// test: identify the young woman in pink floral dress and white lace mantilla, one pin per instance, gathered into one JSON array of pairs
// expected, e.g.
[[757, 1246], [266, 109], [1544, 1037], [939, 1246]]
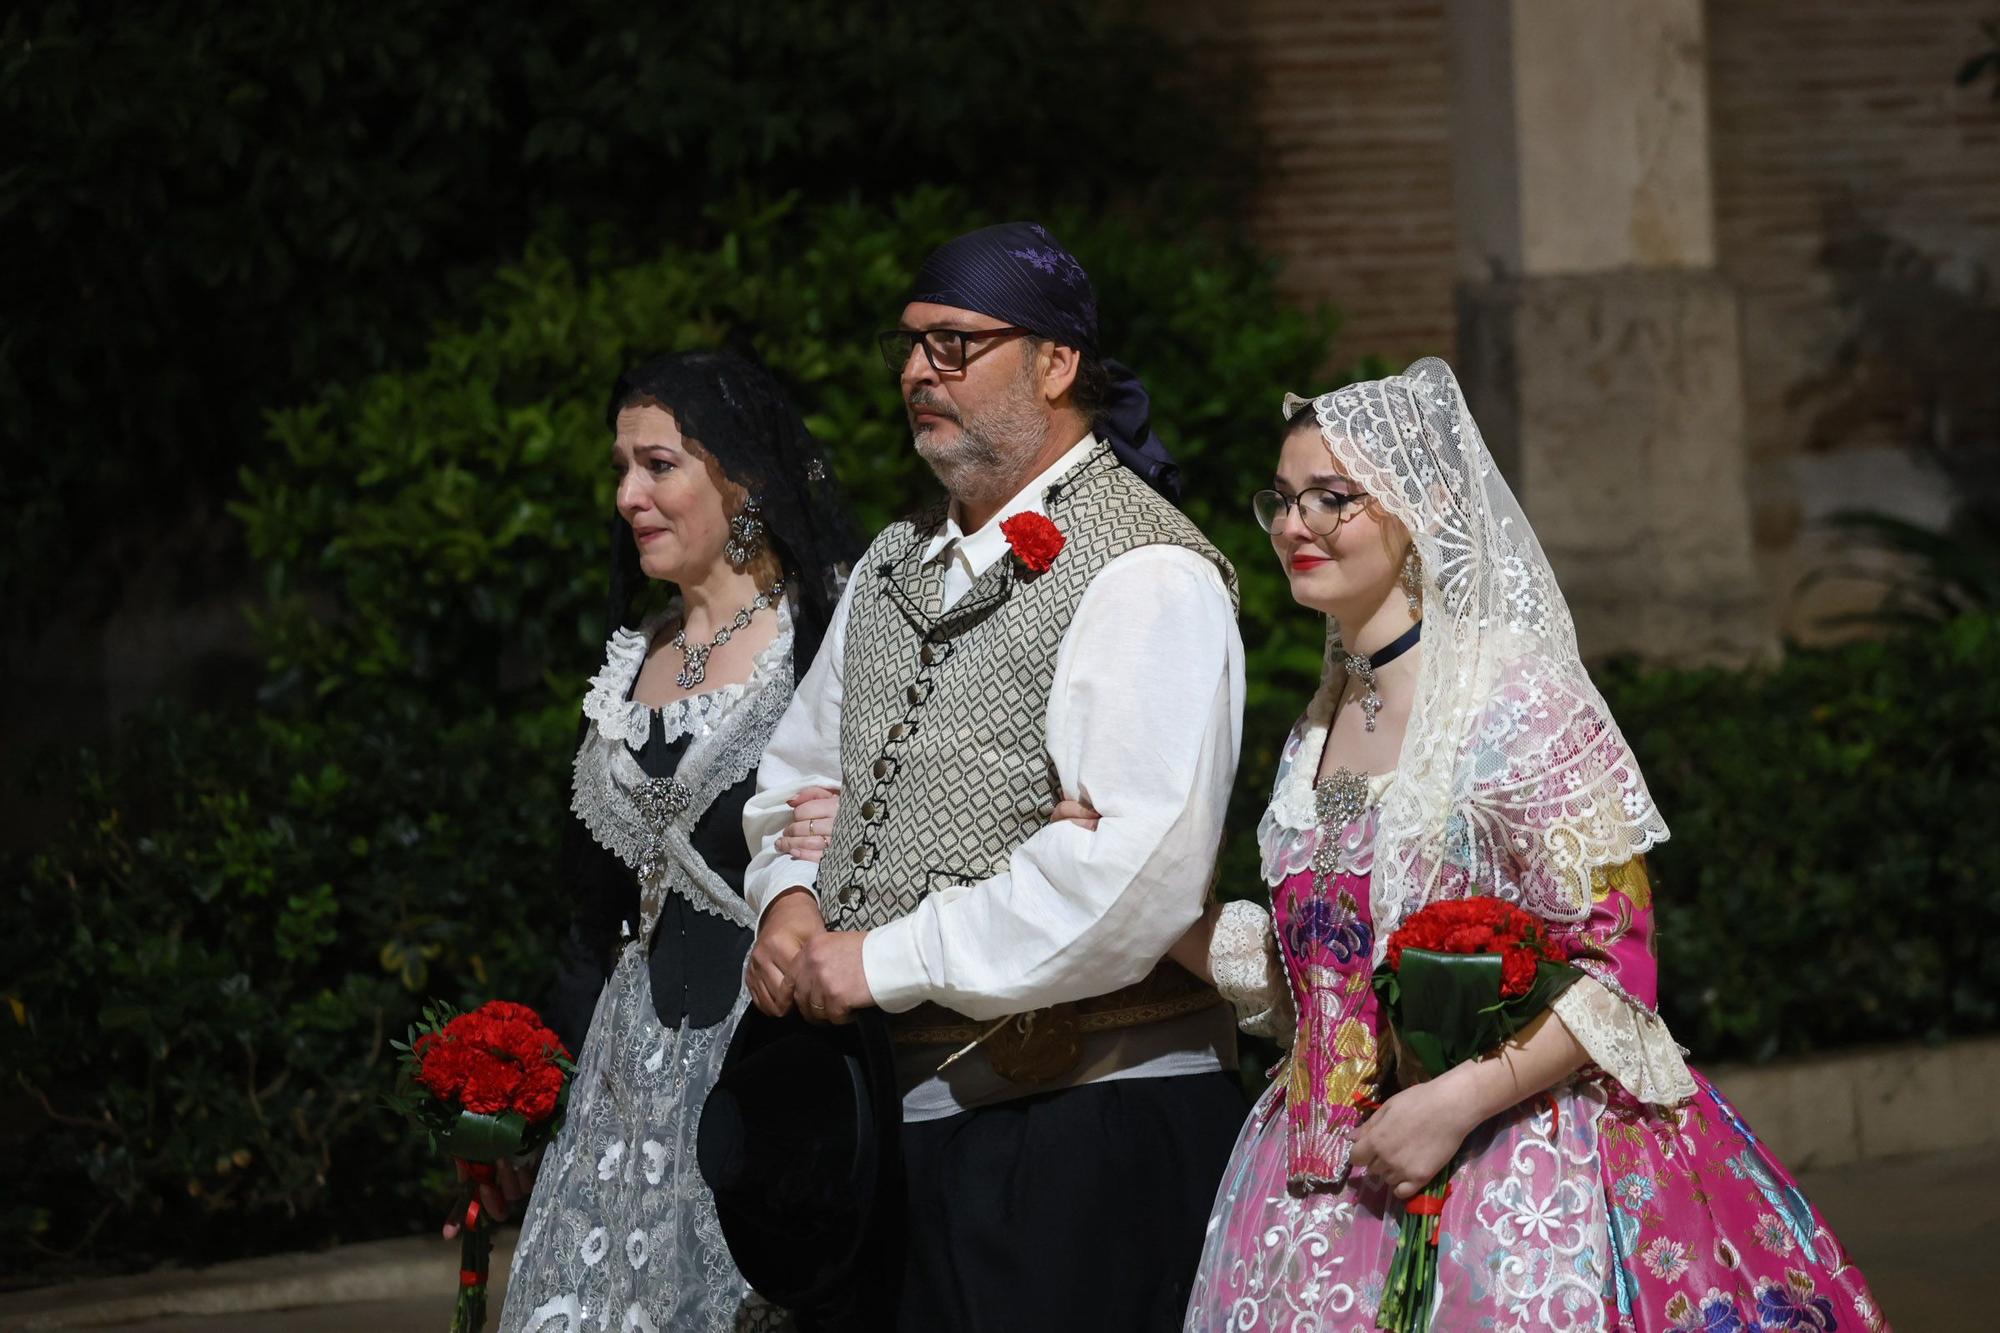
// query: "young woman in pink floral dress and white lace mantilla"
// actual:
[[1457, 746]]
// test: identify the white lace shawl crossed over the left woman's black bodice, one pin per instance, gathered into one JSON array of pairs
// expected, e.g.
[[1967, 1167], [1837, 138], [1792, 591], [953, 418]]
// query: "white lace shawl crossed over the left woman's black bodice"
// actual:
[[647, 822]]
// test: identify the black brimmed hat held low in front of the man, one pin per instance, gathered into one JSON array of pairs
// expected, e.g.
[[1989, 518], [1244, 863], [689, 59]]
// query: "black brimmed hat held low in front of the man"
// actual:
[[799, 1144]]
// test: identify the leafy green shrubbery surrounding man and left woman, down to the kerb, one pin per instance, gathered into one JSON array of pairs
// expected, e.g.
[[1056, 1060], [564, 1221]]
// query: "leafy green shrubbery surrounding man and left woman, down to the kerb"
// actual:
[[209, 960]]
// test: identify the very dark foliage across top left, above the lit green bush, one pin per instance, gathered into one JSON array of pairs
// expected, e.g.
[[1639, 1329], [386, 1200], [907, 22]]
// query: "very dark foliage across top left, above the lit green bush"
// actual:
[[235, 205]]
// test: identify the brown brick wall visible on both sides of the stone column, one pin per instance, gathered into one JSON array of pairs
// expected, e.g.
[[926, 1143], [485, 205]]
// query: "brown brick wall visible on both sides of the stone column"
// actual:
[[1857, 215]]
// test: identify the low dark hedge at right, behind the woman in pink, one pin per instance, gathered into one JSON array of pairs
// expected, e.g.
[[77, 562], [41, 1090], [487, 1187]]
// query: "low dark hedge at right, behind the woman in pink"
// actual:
[[1833, 874]]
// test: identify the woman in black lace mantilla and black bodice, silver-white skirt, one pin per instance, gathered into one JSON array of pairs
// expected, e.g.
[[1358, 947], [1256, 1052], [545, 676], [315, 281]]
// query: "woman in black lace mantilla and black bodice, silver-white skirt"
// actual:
[[727, 497]]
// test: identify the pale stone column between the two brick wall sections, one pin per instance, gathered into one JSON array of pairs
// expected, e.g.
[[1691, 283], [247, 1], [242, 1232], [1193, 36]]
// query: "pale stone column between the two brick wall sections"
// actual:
[[1599, 347]]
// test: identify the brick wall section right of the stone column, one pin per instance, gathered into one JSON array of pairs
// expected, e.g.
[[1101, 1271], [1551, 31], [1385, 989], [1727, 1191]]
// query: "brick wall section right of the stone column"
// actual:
[[1859, 219]]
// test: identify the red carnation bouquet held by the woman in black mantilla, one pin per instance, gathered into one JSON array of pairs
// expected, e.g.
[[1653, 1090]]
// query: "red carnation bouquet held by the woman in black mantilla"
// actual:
[[485, 1086]]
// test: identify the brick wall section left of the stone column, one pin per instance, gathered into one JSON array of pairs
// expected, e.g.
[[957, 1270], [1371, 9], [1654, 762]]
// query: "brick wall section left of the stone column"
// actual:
[[1353, 105]]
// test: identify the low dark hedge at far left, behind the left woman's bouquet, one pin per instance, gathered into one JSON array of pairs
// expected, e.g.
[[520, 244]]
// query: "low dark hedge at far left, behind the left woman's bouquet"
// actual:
[[207, 964]]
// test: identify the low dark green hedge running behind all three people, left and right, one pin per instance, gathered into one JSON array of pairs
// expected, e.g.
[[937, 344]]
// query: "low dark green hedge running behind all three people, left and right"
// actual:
[[205, 966]]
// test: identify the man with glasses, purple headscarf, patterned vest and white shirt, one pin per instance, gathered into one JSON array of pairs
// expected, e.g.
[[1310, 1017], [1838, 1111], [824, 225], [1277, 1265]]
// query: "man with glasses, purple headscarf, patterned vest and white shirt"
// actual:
[[1059, 631]]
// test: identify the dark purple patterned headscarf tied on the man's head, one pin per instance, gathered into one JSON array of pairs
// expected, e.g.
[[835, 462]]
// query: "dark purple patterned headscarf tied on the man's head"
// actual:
[[1019, 273]]
